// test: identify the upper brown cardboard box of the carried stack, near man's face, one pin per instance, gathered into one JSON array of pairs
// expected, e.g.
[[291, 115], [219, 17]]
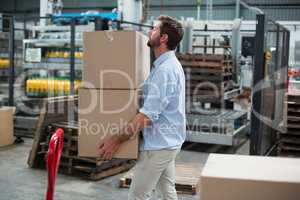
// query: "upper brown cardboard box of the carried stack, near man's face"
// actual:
[[115, 59]]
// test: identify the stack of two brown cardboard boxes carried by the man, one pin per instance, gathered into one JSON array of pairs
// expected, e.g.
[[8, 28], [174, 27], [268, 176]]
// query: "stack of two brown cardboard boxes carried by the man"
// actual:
[[116, 63]]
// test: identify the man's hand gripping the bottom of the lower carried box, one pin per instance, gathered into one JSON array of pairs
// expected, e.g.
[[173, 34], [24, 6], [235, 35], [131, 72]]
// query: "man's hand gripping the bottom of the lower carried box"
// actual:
[[109, 147]]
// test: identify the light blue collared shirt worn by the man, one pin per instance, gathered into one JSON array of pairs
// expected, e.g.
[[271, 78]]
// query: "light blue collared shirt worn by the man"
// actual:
[[164, 104]]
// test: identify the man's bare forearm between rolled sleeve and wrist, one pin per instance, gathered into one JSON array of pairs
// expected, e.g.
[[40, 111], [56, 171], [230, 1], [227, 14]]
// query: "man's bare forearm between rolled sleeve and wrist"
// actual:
[[139, 122]]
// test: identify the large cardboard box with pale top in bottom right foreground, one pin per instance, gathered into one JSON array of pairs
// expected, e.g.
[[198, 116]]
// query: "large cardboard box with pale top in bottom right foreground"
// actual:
[[236, 177]]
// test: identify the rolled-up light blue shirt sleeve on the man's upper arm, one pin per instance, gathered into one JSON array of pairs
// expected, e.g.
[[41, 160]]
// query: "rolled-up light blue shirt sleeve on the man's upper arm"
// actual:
[[157, 97]]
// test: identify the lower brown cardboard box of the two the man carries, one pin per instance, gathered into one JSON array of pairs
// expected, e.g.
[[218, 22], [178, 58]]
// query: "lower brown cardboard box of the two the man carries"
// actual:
[[103, 112]]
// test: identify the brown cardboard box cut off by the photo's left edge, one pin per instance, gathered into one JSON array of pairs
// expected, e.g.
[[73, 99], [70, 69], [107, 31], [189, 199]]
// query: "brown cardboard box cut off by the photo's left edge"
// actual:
[[6, 126]]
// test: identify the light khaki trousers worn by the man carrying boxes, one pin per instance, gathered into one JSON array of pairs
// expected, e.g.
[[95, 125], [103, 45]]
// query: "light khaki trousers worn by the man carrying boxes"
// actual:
[[154, 169]]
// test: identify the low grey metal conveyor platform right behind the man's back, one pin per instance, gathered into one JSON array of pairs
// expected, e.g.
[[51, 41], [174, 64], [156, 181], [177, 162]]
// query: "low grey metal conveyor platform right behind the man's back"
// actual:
[[222, 127]]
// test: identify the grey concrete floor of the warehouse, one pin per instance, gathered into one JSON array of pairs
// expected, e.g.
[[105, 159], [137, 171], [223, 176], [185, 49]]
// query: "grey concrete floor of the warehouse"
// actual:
[[19, 182]]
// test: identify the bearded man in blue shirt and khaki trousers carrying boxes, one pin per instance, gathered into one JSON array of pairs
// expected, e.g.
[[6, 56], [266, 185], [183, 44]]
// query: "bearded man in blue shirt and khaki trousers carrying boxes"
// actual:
[[162, 117]]
